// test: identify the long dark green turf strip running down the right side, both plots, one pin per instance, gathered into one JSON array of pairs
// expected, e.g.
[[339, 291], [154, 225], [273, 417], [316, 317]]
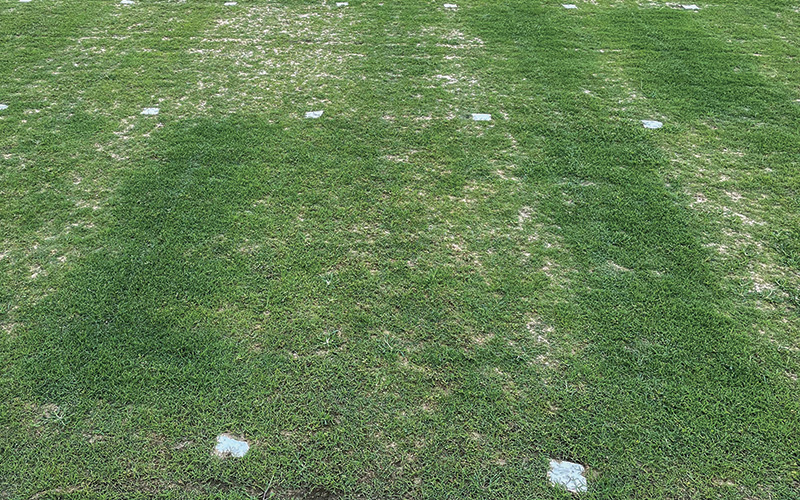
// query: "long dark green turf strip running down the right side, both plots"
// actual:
[[664, 339]]
